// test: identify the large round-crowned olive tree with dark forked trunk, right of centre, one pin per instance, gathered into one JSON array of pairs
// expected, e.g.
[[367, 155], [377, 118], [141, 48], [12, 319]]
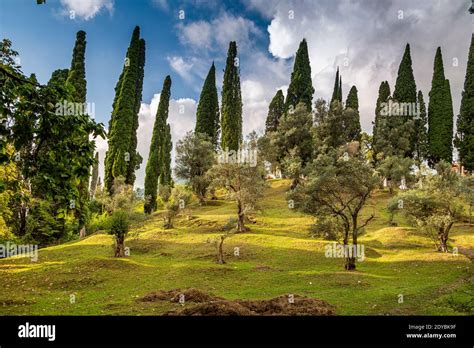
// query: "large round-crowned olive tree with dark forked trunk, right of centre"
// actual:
[[336, 188]]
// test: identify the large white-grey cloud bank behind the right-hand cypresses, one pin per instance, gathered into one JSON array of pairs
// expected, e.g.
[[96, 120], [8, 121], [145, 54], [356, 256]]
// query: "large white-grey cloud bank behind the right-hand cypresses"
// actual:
[[369, 36]]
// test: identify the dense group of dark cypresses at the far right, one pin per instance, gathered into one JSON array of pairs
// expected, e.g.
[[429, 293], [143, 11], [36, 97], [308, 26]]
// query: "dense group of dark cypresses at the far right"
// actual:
[[429, 135]]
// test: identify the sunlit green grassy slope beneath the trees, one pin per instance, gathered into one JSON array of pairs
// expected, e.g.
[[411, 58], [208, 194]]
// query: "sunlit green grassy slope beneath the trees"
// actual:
[[277, 257]]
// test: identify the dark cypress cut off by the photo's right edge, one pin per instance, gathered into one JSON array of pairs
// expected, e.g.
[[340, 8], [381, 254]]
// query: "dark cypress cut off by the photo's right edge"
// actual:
[[465, 122]]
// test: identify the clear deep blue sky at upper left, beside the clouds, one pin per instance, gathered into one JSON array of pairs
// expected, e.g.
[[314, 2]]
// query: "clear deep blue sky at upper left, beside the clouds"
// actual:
[[44, 36]]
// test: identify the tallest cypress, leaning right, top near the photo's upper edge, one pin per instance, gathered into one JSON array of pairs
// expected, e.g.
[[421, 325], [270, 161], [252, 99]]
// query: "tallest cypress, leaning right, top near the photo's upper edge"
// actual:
[[121, 157]]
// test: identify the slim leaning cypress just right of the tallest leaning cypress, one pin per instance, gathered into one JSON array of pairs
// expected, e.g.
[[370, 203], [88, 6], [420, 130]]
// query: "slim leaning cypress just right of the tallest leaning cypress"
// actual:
[[158, 147]]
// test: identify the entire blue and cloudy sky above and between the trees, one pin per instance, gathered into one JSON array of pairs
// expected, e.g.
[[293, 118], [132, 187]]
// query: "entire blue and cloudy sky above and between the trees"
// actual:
[[365, 38]]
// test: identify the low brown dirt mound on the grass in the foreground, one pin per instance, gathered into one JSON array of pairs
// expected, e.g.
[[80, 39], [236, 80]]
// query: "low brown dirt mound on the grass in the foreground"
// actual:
[[207, 305]]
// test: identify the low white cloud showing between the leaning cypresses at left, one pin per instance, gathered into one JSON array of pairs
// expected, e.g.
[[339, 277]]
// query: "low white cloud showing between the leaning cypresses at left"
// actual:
[[181, 118]]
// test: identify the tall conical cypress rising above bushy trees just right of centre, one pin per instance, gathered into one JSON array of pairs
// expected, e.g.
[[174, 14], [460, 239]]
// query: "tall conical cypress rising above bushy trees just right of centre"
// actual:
[[301, 86]]
